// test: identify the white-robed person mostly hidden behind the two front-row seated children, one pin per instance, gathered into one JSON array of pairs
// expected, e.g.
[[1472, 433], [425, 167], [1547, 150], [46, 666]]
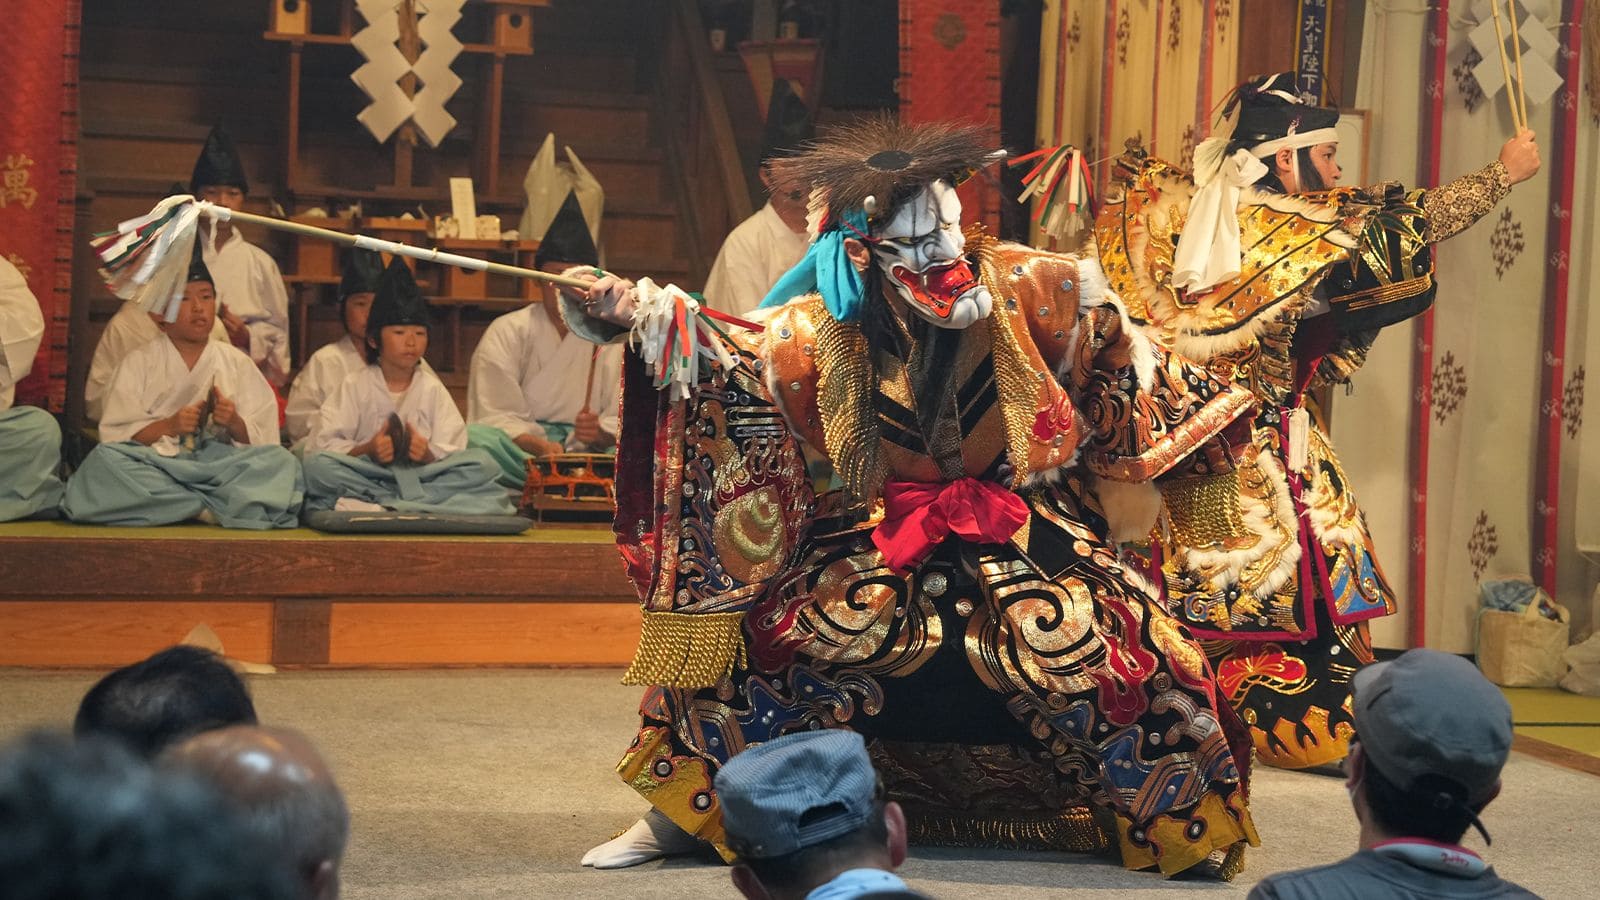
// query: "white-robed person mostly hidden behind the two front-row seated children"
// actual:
[[332, 364]]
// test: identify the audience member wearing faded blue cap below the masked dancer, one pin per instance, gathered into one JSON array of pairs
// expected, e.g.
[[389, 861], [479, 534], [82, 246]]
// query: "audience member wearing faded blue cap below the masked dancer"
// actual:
[[807, 818]]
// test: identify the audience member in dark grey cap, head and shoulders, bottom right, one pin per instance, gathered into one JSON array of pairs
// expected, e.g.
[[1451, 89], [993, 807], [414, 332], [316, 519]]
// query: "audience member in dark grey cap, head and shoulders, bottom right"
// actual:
[[1431, 739]]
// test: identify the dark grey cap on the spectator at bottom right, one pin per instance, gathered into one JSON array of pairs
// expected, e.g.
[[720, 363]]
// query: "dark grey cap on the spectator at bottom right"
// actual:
[[1430, 713]]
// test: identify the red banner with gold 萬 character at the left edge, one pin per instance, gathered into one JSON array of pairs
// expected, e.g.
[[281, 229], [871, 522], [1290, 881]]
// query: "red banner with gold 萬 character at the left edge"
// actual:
[[39, 139]]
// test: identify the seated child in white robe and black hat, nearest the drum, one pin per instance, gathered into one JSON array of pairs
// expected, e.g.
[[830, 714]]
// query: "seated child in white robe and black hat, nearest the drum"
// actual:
[[391, 436]]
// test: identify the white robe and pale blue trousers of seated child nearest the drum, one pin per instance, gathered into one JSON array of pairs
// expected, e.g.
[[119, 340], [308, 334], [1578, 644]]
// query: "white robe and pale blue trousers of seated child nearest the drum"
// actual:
[[457, 483]]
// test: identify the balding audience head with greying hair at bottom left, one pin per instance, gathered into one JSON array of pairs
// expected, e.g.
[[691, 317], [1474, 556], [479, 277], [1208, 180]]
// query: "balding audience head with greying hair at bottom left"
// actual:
[[284, 794]]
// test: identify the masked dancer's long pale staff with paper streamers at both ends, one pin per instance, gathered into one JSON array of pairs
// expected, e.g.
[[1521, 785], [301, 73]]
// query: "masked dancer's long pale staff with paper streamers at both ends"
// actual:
[[146, 260]]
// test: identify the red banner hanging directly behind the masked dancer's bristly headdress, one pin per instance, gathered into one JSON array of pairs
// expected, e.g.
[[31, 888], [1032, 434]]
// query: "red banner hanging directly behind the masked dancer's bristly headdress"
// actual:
[[951, 73]]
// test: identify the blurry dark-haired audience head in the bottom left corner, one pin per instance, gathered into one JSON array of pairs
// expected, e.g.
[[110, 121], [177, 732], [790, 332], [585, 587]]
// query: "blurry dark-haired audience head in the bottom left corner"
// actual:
[[87, 821]]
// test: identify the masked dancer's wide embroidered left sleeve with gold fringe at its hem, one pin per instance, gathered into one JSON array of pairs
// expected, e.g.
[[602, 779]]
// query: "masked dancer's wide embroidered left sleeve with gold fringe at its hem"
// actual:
[[730, 505]]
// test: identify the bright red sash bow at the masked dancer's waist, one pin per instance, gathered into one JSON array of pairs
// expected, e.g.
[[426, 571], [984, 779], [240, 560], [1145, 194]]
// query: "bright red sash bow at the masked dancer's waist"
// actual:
[[921, 515]]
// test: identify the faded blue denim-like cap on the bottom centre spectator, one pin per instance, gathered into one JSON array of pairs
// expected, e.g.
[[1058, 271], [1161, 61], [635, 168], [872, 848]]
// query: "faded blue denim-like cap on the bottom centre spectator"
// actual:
[[794, 792]]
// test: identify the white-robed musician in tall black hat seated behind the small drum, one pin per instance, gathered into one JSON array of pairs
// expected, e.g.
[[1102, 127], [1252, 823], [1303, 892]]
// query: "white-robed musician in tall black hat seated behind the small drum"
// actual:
[[535, 388]]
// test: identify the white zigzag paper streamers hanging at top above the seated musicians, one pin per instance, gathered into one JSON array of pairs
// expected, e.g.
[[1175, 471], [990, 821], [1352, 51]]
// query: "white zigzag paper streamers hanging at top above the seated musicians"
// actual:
[[386, 65]]
